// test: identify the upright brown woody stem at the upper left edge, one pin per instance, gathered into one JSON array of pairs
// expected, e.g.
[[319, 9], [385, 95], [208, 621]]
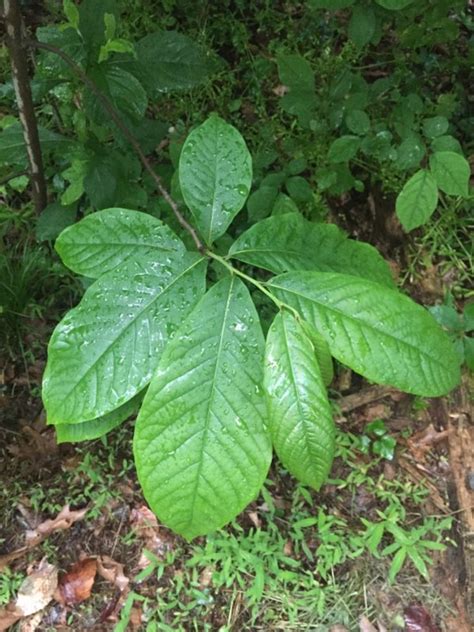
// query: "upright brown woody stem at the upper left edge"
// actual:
[[21, 83]]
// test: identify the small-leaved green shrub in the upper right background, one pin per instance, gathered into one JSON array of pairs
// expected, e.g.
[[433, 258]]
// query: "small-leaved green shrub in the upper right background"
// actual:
[[385, 132]]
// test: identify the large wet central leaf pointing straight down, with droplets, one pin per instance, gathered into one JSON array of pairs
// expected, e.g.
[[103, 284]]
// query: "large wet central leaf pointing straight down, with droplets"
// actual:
[[201, 449]]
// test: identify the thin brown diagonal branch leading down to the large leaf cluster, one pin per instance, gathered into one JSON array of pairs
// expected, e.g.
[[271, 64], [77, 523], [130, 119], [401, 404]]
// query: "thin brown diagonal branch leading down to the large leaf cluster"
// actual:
[[114, 115]]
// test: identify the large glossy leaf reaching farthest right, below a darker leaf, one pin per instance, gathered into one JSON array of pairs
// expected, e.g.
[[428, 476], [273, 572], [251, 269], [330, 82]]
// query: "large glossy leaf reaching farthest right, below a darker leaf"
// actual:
[[379, 333]]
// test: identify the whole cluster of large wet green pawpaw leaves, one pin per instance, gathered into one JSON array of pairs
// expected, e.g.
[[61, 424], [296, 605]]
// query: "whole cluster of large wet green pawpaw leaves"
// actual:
[[214, 396]]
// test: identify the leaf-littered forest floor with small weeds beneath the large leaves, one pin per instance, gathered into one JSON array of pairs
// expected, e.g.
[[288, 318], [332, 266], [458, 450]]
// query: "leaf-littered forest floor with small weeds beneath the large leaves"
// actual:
[[74, 522]]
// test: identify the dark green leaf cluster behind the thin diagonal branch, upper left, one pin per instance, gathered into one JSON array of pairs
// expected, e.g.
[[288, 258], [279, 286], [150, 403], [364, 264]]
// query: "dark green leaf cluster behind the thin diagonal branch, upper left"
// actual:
[[100, 171]]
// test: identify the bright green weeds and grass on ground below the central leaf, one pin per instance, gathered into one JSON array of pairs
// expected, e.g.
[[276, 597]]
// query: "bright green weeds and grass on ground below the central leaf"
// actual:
[[307, 565]]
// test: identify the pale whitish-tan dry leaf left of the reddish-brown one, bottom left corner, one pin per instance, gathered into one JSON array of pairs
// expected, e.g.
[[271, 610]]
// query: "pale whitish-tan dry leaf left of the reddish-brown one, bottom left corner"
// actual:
[[37, 589]]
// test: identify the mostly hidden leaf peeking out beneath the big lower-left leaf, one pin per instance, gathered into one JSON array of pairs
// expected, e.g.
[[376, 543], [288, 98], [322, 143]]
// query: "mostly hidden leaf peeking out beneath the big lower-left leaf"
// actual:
[[88, 430]]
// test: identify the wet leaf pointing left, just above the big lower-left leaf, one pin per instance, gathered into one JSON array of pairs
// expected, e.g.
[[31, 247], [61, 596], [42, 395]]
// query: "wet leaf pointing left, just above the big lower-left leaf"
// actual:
[[102, 241]]
